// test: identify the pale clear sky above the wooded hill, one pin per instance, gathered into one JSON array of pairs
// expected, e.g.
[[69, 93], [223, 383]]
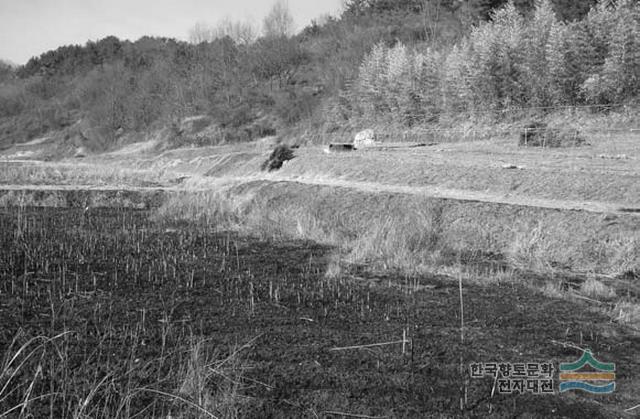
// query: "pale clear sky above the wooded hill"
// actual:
[[30, 27]]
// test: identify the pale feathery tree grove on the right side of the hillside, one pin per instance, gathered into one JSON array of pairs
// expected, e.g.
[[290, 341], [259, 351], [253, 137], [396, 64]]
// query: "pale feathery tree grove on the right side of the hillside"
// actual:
[[508, 62]]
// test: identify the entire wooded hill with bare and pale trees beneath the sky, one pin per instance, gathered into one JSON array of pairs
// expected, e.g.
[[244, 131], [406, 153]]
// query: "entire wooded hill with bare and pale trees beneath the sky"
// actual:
[[411, 62]]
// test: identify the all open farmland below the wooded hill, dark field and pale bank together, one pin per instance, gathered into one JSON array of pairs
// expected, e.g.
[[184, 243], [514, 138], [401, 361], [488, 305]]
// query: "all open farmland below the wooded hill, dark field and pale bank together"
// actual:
[[189, 283]]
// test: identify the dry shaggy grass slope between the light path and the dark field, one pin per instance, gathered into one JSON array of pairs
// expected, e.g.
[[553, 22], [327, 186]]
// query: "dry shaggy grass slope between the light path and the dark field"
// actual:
[[396, 231]]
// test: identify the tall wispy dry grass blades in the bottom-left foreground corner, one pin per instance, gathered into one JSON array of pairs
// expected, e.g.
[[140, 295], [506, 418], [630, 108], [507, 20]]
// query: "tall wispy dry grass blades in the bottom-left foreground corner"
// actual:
[[208, 385]]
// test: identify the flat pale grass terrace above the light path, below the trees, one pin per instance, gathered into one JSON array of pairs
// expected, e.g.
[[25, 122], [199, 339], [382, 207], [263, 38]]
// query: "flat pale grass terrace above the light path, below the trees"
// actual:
[[605, 171]]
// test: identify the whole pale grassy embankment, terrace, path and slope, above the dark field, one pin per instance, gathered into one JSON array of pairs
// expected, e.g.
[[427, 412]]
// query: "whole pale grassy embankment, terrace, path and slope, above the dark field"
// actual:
[[450, 207]]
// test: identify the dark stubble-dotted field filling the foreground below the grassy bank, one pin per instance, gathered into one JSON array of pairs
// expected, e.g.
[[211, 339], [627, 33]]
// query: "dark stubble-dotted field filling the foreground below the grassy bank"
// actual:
[[131, 295]]
